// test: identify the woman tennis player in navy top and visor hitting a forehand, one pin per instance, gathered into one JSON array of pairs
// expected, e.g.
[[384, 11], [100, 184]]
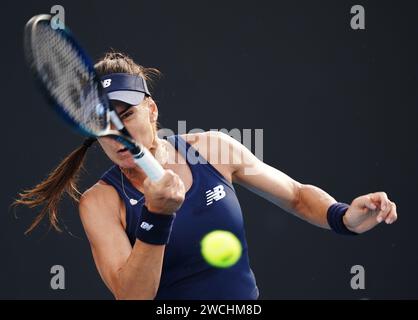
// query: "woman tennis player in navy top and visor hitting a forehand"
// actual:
[[145, 235]]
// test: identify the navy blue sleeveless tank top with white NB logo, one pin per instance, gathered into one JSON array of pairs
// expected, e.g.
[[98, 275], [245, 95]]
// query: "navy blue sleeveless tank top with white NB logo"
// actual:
[[210, 204]]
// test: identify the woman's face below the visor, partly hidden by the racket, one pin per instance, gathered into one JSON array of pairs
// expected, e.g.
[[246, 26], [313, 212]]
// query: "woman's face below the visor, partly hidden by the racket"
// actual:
[[139, 120]]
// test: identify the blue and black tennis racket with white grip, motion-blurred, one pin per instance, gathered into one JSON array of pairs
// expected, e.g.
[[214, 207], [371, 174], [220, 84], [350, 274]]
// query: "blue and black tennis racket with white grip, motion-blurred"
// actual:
[[73, 88]]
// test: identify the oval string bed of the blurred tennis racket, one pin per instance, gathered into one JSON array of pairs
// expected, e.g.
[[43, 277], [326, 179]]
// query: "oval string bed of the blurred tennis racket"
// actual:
[[68, 79]]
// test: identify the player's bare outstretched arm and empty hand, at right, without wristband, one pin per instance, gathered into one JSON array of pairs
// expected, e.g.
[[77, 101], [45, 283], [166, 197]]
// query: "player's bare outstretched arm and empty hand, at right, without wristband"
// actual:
[[306, 201]]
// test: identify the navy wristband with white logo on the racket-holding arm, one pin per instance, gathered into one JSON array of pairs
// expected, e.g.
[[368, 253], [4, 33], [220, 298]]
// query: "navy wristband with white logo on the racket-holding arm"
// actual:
[[154, 228]]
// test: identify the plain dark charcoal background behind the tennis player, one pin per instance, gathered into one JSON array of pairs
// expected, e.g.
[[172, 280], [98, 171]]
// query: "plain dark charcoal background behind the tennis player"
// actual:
[[338, 109]]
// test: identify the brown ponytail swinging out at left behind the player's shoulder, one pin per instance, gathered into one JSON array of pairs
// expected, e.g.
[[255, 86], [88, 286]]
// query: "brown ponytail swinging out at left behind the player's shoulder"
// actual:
[[48, 193]]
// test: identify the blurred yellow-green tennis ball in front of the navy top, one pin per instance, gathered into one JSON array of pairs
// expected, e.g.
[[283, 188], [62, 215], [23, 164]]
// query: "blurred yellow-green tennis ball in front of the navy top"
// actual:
[[221, 248]]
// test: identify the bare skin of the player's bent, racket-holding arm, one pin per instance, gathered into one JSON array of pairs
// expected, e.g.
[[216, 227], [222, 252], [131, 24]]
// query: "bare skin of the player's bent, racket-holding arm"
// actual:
[[129, 272]]
